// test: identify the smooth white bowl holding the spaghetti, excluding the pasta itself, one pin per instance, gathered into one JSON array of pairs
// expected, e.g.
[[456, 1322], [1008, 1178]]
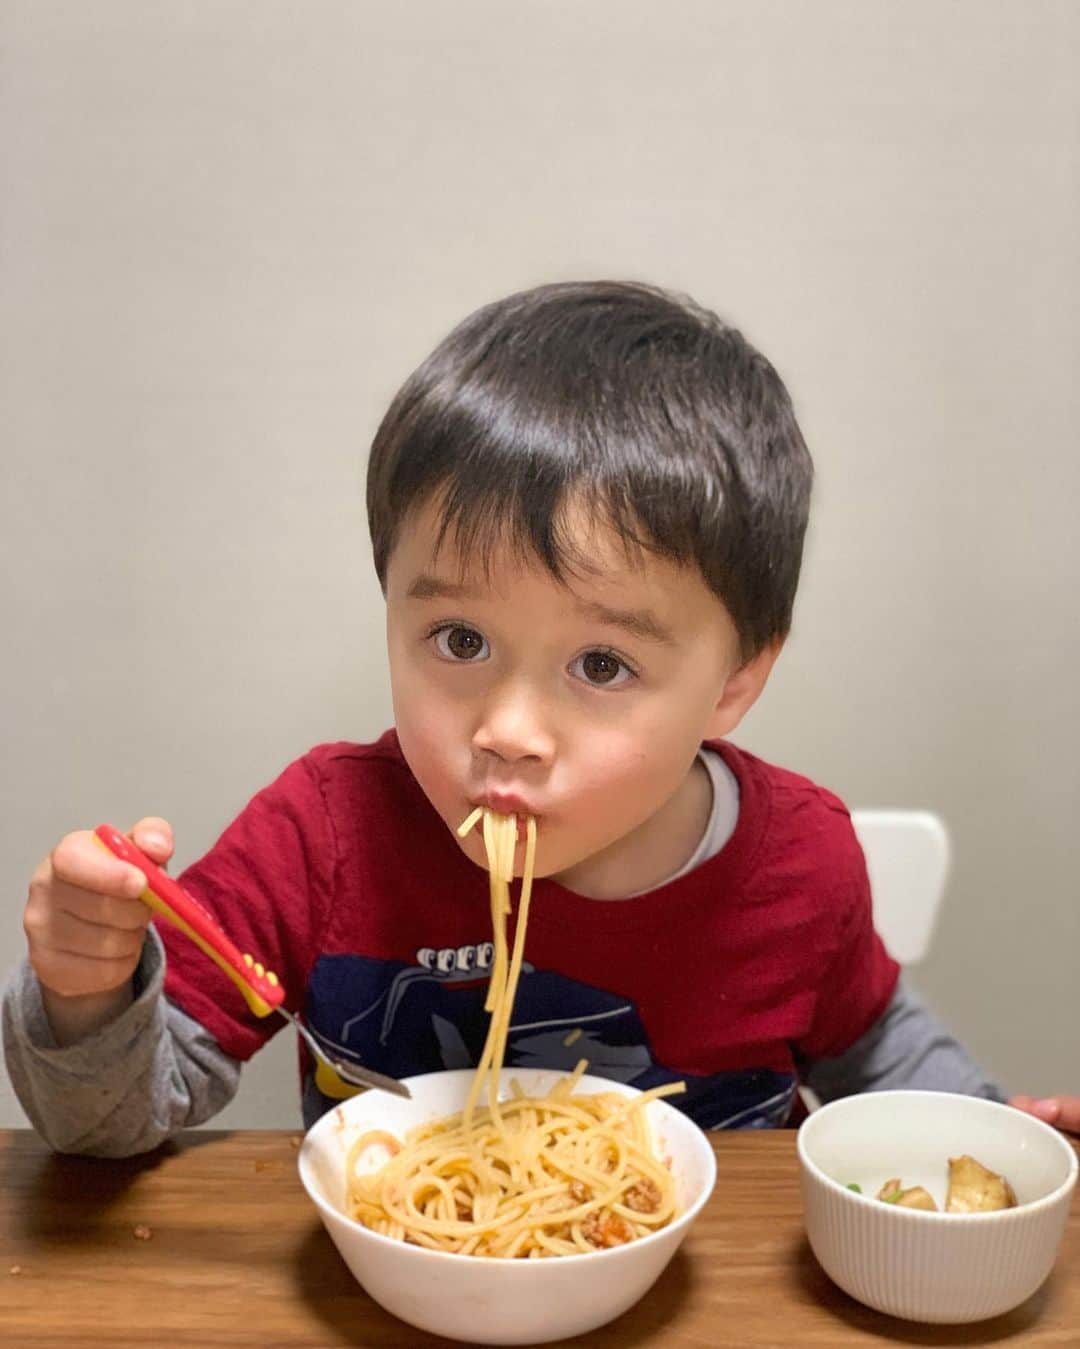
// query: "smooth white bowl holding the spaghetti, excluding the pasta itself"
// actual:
[[482, 1300]]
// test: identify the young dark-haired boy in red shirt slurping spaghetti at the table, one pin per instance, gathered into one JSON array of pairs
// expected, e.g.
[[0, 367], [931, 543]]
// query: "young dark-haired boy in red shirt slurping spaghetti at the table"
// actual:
[[587, 509]]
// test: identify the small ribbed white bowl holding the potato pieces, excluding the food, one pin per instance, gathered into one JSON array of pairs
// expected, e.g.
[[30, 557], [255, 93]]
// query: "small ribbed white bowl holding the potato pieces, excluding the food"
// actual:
[[935, 1267]]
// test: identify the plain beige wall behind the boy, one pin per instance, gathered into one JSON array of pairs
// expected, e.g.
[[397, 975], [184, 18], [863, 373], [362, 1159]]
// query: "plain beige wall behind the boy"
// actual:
[[233, 229]]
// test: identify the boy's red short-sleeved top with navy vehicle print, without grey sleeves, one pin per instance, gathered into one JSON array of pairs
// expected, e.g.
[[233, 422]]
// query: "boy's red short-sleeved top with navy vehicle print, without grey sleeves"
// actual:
[[343, 880]]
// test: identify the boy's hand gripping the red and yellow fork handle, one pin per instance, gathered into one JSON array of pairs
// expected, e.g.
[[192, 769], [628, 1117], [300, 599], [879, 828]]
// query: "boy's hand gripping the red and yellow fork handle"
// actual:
[[86, 927]]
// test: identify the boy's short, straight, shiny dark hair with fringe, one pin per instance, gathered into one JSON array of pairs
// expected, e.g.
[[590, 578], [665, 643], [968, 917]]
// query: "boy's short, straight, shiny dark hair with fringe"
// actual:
[[645, 408]]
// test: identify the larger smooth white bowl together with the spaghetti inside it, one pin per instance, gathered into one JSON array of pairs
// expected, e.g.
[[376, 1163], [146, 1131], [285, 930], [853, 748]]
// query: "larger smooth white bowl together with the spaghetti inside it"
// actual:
[[629, 1199]]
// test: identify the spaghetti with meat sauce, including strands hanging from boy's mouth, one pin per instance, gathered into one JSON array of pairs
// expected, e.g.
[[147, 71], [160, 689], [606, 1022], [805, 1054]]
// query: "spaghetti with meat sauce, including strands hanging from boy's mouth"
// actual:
[[527, 1177]]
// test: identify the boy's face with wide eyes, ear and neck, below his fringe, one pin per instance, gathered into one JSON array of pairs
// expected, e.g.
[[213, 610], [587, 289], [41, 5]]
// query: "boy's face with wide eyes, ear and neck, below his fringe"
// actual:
[[582, 705]]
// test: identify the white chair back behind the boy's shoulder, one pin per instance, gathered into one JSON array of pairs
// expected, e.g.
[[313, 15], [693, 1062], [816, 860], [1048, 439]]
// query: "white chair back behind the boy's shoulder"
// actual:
[[908, 861]]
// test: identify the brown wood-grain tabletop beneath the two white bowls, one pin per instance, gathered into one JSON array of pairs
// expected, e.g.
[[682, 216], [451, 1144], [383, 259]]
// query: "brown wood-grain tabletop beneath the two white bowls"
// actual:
[[212, 1243]]
